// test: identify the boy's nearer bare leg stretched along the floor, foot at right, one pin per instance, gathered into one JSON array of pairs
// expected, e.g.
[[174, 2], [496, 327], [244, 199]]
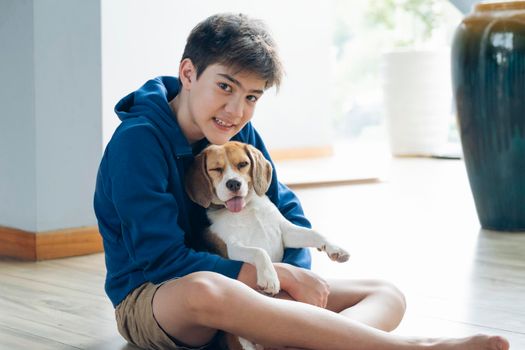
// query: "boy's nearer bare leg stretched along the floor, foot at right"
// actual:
[[191, 308]]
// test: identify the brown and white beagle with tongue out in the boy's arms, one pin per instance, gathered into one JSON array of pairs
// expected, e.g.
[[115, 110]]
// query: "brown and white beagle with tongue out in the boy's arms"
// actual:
[[231, 181]]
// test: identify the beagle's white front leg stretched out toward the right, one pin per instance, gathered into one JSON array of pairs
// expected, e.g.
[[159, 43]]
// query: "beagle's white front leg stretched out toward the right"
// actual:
[[301, 237]]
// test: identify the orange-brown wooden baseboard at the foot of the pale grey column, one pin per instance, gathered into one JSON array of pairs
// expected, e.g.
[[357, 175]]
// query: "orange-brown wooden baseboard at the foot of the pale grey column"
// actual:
[[34, 246]]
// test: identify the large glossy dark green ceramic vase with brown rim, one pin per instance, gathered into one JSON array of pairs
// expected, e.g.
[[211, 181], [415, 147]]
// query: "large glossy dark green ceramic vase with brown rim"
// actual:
[[488, 74]]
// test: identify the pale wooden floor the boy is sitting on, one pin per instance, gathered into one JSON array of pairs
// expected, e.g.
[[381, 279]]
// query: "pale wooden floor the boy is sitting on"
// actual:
[[418, 228]]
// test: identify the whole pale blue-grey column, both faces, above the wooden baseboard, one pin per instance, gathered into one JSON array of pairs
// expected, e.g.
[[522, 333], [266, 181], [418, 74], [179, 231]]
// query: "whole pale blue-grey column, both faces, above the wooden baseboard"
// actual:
[[50, 120]]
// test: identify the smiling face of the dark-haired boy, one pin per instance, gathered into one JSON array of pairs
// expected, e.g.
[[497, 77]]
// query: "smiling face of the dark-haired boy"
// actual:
[[220, 102]]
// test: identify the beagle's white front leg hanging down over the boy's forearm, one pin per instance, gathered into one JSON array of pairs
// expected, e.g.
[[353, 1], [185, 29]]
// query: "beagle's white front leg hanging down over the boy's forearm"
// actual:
[[267, 279]]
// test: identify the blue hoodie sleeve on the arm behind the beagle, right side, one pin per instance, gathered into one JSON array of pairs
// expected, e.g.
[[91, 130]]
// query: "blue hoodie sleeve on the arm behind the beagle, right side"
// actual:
[[285, 200]]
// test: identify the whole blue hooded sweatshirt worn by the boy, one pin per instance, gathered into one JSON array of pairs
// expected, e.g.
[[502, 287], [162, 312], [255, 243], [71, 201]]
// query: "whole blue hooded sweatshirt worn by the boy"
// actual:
[[144, 214]]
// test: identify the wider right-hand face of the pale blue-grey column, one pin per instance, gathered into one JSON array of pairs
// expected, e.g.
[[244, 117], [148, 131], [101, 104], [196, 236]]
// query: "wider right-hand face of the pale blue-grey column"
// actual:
[[67, 65]]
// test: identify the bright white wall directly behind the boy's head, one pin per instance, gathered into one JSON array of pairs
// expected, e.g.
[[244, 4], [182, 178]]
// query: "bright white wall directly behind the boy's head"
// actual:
[[143, 39]]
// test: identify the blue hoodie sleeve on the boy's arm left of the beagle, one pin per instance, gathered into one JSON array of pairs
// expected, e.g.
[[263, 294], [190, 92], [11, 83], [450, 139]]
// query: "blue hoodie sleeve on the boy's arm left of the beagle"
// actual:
[[148, 211]]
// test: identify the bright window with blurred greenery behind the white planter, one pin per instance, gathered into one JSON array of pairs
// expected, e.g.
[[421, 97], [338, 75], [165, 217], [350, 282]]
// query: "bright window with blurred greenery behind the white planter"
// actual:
[[363, 31]]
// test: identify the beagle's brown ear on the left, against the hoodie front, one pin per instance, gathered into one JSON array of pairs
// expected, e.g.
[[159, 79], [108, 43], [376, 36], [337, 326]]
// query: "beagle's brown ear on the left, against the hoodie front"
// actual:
[[198, 183]]
